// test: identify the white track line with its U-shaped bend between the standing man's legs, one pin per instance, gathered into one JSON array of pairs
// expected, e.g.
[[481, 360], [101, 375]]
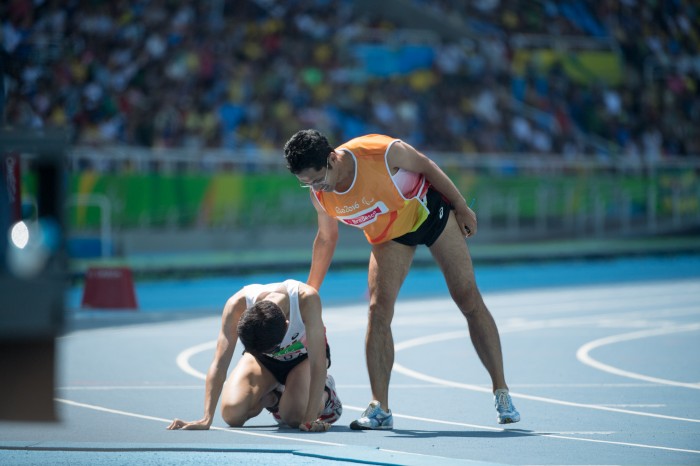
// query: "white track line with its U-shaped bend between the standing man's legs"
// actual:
[[448, 383]]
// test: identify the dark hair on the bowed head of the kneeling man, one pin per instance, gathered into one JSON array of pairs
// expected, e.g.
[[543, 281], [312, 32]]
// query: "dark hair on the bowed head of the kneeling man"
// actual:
[[262, 327]]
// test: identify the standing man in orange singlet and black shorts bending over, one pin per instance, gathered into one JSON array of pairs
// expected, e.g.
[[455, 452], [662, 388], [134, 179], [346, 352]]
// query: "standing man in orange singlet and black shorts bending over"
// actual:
[[400, 199]]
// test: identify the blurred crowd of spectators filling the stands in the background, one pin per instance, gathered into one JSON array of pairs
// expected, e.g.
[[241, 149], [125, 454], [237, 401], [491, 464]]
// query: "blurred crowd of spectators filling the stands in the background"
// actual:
[[248, 74]]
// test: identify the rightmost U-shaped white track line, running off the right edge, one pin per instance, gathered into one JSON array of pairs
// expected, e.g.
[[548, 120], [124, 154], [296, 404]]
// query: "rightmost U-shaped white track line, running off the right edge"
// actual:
[[583, 353]]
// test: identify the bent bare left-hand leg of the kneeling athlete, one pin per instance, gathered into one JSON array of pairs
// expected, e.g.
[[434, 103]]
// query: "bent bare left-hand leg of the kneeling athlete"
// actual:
[[246, 391]]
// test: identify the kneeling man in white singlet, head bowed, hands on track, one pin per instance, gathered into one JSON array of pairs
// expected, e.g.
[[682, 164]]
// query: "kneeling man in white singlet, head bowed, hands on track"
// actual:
[[283, 367]]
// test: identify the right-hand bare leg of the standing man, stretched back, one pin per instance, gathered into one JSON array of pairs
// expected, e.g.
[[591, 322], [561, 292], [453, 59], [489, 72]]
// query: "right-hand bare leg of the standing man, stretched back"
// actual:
[[452, 255]]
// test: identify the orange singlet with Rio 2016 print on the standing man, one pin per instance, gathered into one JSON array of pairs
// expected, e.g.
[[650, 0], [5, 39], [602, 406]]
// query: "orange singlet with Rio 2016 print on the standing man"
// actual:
[[373, 202]]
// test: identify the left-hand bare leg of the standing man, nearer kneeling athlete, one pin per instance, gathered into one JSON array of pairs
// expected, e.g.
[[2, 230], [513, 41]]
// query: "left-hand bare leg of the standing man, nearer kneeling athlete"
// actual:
[[389, 264]]
